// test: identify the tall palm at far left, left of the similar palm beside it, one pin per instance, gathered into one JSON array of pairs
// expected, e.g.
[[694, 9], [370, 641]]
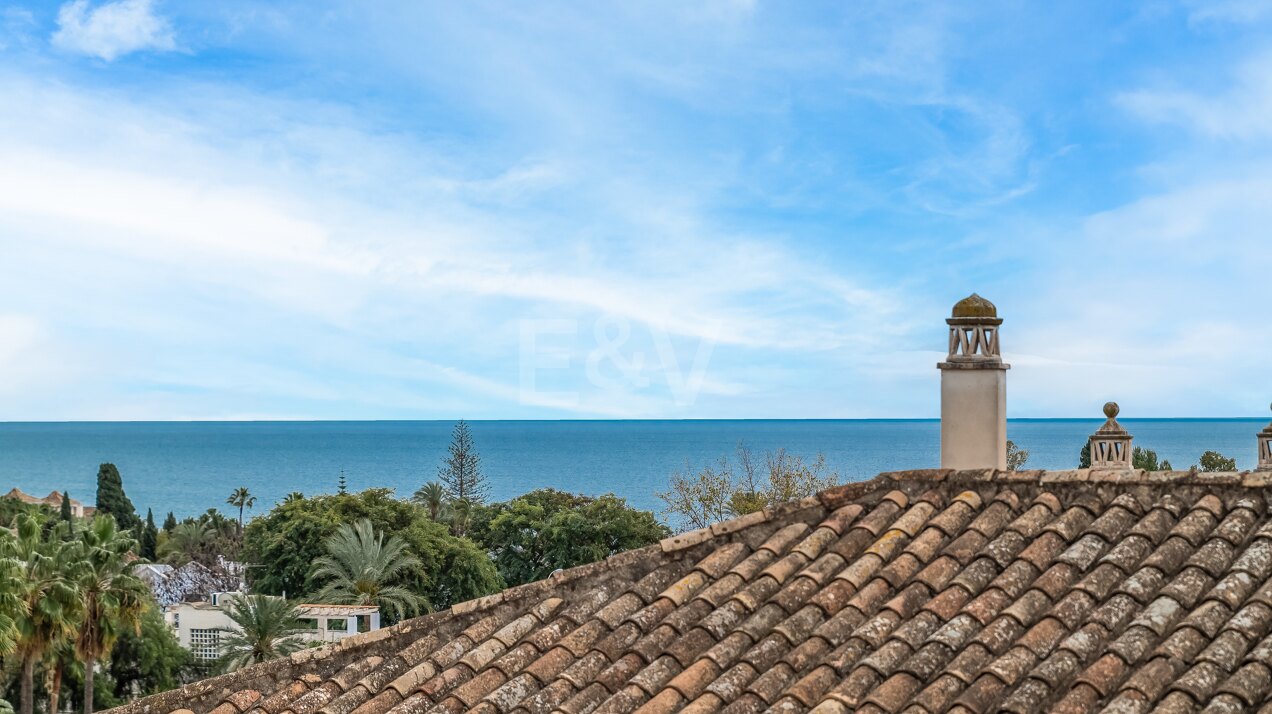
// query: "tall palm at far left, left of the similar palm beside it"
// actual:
[[50, 610]]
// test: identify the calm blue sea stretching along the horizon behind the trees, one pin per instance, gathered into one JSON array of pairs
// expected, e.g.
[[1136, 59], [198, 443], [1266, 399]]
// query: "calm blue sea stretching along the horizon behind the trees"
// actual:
[[188, 468]]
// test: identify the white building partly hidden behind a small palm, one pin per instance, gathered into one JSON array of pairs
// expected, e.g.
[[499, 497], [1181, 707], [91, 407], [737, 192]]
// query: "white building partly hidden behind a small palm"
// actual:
[[199, 626]]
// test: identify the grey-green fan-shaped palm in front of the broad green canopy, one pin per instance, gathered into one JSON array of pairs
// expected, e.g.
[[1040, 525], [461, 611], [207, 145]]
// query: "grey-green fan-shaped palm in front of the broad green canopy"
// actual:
[[361, 568]]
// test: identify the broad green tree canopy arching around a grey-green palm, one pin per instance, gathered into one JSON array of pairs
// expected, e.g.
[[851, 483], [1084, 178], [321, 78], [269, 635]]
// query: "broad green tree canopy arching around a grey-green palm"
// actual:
[[288, 540]]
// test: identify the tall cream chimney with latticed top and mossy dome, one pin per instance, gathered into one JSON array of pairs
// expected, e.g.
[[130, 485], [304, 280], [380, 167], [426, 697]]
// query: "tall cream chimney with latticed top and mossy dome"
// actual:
[[974, 390]]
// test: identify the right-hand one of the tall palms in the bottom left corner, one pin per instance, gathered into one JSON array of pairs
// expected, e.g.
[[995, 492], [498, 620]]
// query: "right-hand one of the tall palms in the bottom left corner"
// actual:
[[113, 596]]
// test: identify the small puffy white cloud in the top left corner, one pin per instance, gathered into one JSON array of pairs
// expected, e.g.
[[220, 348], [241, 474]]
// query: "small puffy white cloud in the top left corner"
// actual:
[[113, 30]]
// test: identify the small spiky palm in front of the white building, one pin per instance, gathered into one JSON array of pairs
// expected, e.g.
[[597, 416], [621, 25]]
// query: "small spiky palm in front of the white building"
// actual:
[[266, 628]]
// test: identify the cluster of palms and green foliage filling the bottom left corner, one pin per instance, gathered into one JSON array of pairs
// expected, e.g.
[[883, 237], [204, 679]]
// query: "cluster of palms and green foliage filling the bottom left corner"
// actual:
[[68, 600]]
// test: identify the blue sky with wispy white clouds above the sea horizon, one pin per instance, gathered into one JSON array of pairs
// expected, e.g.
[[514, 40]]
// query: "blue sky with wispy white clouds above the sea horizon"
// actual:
[[572, 211]]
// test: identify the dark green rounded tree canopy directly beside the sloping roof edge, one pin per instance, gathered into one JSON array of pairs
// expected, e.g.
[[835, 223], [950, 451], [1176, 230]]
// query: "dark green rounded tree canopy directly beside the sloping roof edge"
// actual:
[[536, 534]]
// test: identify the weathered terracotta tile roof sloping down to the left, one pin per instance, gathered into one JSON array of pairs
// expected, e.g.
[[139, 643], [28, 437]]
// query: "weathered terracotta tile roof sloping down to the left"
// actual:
[[918, 592]]
